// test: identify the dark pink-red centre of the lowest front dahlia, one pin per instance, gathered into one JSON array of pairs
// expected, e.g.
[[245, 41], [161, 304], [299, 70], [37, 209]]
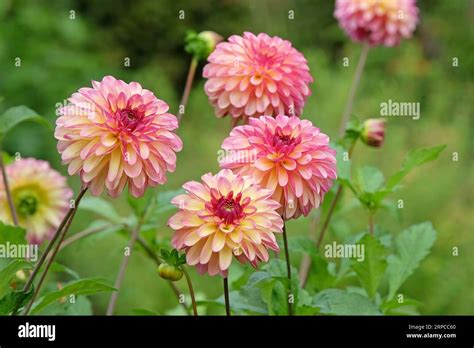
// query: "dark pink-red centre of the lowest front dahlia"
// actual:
[[228, 208]]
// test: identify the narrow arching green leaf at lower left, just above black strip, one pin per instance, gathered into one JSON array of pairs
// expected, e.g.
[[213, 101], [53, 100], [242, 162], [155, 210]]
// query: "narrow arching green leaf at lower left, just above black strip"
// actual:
[[79, 287]]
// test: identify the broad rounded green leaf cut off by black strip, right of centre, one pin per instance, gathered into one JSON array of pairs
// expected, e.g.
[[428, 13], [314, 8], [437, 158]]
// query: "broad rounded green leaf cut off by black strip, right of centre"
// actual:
[[342, 302]]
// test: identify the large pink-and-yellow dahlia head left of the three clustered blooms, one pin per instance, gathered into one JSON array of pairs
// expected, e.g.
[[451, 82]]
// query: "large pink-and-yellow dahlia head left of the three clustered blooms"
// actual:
[[117, 133]]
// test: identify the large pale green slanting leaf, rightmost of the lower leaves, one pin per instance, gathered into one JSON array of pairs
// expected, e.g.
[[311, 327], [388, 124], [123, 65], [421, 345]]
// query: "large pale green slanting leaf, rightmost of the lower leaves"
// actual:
[[412, 246]]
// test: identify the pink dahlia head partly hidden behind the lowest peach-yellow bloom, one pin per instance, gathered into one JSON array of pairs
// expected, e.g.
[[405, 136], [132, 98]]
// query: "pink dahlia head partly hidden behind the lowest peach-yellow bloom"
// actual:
[[287, 155]]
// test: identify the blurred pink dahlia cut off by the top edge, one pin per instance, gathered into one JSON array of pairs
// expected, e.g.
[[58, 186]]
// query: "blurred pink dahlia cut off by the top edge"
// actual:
[[378, 22]]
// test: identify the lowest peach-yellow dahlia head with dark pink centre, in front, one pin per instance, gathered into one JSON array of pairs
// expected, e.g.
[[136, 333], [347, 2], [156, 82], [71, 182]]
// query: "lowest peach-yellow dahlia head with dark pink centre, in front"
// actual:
[[222, 217]]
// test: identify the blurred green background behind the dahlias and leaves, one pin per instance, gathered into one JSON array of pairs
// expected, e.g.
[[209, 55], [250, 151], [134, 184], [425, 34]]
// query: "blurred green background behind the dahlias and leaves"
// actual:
[[60, 54]]
